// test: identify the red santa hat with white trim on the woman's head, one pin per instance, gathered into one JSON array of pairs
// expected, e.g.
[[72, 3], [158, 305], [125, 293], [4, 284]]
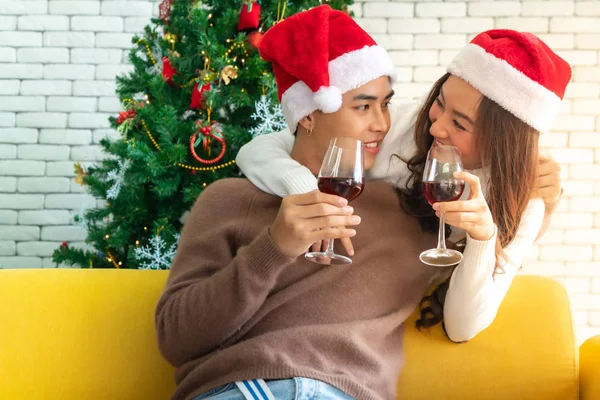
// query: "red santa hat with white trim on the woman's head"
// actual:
[[516, 70]]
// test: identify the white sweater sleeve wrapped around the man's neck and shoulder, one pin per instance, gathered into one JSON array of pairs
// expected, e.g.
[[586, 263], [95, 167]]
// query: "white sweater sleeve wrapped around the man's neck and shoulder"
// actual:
[[266, 162]]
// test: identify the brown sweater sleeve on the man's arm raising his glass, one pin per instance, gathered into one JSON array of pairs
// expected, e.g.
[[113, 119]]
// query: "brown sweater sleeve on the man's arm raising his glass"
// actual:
[[215, 284]]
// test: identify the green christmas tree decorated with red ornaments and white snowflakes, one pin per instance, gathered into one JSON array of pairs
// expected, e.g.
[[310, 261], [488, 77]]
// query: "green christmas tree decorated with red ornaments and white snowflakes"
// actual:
[[198, 92]]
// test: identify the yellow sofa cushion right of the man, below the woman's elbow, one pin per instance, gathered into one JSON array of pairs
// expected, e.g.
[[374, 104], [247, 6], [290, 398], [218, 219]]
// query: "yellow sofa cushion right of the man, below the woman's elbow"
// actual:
[[529, 352]]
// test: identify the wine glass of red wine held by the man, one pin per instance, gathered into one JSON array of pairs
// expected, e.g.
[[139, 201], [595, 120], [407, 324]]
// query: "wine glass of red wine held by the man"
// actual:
[[342, 174]]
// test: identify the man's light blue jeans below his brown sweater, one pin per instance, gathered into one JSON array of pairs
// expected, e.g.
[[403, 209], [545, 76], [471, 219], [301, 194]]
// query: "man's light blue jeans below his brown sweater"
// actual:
[[285, 389]]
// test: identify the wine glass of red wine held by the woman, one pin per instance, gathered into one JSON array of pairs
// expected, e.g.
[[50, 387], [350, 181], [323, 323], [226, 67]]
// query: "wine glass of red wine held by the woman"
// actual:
[[439, 185]]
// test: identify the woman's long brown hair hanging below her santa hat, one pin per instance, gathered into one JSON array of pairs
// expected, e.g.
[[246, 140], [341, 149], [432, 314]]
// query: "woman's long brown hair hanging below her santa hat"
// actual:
[[508, 148]]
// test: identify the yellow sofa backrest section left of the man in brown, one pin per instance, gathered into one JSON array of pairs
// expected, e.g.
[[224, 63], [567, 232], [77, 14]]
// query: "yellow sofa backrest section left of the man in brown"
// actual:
[[69, 334]]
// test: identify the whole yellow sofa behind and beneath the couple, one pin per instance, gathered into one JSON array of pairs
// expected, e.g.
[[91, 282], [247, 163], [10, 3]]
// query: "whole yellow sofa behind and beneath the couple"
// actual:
[[89, 334]]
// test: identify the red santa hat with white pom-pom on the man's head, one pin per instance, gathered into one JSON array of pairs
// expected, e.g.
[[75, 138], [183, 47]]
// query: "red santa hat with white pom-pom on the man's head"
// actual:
[[318, 55]]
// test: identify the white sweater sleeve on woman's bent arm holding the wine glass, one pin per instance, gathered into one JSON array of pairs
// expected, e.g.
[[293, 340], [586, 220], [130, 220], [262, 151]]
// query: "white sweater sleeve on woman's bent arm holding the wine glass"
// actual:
[[475, 293]]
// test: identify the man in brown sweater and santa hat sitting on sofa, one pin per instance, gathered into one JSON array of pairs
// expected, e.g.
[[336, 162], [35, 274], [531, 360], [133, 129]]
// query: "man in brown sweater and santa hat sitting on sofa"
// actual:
[[244, 314]]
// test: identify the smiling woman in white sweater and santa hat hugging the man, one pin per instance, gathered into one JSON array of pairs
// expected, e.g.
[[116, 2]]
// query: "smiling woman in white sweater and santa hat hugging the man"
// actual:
[[501, 92]]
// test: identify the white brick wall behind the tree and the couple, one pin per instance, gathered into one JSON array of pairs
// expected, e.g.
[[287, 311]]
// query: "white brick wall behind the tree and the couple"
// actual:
[[59, 58]]
